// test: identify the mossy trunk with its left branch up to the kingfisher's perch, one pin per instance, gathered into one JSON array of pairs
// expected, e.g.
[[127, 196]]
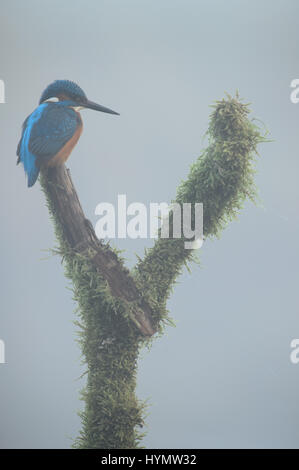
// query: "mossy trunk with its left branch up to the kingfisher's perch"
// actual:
[[109, 339]]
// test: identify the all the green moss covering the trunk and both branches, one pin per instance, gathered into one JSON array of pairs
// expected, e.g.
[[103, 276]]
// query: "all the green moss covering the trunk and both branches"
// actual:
[[221, 179]]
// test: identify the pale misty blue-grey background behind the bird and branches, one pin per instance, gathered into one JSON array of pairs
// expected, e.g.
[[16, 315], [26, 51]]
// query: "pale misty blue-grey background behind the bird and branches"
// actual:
[[223, 376]]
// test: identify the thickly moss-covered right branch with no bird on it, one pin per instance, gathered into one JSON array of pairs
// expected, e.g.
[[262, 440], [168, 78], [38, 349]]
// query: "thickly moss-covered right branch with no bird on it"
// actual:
[[221, 179]]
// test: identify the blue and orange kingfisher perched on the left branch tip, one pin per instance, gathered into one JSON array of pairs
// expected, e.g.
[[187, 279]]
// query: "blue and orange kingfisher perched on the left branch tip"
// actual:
[[52, 130]]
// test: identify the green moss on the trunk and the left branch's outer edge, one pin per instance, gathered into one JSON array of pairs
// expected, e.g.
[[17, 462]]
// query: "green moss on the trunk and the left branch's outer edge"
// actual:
[[110, 342]]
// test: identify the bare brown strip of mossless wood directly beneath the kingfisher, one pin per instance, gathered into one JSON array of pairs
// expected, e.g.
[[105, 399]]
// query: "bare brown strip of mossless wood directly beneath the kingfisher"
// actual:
[[81, 237]]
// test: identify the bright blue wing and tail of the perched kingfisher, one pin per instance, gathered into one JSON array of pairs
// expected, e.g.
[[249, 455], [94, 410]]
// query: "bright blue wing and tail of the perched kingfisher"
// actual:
[[45, 132]]
